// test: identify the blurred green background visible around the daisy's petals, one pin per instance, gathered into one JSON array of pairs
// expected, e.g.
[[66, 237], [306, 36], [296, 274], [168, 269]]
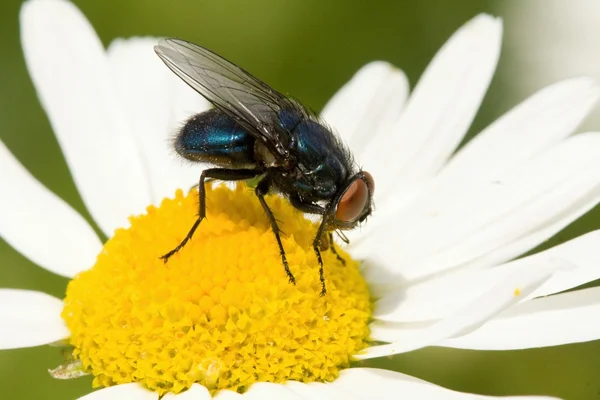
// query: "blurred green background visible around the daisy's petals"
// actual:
[[308, 48]]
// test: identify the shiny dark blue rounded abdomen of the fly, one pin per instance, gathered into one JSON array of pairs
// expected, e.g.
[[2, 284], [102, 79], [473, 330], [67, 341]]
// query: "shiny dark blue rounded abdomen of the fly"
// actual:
[[213, 137]]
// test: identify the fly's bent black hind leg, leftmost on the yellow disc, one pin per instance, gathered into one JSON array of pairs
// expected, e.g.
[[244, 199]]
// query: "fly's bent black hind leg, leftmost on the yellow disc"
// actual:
[[223, 174]]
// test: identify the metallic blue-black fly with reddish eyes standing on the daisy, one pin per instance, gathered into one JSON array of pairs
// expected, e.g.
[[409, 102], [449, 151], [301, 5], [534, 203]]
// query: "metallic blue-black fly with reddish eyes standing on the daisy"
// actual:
[[256, 132]]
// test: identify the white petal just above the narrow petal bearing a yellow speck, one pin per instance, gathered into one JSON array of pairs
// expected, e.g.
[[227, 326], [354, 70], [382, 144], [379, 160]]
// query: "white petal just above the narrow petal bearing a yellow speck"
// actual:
[[446, 294]]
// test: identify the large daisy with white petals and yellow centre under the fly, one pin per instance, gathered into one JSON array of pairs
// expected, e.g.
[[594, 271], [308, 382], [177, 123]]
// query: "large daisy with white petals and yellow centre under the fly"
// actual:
[[436, 265]]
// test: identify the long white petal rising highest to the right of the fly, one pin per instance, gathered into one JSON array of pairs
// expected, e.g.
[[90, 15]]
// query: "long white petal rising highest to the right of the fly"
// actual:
[[439, 111]]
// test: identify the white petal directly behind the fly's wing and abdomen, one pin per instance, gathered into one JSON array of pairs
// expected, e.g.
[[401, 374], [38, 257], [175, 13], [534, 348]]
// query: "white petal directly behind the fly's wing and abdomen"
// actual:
[[158, 103]]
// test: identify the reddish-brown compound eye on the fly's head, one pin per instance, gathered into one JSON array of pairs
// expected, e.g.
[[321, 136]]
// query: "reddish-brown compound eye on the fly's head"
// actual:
[[355, 199]]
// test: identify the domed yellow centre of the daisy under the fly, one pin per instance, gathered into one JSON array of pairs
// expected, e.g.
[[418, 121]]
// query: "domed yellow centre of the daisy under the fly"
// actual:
[[221, 312]]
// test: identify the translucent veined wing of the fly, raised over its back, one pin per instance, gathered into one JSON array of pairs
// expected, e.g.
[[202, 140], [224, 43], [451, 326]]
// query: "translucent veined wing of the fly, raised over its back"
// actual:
[[246, 99]]
